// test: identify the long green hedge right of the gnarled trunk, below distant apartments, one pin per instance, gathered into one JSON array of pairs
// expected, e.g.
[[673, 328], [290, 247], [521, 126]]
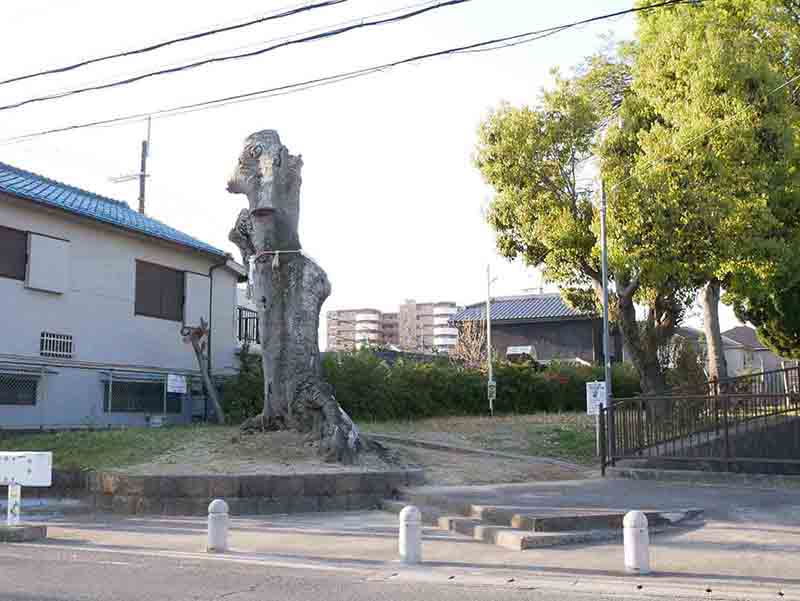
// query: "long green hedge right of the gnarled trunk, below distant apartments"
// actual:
[[369, 389]]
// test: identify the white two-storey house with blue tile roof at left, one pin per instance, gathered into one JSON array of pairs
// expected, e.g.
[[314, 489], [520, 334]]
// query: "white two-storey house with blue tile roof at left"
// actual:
[[93, 296]]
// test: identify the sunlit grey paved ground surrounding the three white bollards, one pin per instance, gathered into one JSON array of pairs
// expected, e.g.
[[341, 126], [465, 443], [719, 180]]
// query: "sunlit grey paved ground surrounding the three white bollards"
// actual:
[[746, 550]]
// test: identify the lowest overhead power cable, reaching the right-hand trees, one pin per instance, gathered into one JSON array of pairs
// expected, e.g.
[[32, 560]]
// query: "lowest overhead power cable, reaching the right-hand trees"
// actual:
[[327, 80]]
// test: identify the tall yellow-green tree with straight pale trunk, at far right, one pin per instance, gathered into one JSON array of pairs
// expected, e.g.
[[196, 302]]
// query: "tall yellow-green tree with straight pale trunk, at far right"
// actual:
[[711, 145]]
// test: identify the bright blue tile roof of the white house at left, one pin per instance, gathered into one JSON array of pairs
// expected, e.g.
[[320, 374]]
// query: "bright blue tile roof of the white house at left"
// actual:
[[24, 184]]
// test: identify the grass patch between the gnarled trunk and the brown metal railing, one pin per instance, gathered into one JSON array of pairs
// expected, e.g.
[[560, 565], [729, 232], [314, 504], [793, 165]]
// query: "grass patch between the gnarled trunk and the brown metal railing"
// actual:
[[569, 436]]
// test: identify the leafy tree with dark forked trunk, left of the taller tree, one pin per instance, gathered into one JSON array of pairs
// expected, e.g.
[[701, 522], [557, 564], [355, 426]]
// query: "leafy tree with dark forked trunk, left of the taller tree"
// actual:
[[542, 212]]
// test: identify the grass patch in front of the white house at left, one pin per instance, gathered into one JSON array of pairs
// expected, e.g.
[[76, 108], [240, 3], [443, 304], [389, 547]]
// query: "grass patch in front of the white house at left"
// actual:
[[103, 448]]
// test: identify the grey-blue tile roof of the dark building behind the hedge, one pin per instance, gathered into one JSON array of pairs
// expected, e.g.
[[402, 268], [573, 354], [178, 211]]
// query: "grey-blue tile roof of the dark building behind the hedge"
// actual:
[[531, 307]]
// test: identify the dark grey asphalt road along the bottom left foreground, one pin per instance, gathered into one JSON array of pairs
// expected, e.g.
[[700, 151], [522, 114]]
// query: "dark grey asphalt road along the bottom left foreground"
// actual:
[[52, 574]]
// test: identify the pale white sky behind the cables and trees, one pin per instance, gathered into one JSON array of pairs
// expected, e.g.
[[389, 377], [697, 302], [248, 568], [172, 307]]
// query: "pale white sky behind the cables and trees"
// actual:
[[392, 206]]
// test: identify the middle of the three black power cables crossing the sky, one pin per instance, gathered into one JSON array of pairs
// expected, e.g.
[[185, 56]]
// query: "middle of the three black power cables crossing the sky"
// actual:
[[312, 38]]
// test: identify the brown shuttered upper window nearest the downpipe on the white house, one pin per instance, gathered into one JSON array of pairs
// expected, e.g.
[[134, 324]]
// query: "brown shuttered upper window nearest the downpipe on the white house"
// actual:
[[159, 291]]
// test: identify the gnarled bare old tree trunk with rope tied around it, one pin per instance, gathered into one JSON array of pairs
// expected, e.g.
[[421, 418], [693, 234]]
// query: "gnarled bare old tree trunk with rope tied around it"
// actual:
[[289, 289]]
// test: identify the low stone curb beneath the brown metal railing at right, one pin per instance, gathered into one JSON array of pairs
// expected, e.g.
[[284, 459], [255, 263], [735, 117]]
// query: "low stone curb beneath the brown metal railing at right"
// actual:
[[705, 477]]
